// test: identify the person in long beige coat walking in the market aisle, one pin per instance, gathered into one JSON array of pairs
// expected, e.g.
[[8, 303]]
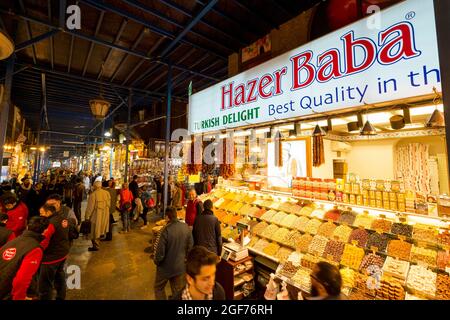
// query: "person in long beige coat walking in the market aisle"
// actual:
[[97, 212]]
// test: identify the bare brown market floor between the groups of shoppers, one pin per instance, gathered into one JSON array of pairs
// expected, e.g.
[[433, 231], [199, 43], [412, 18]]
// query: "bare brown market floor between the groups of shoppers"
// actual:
[[121, 270]]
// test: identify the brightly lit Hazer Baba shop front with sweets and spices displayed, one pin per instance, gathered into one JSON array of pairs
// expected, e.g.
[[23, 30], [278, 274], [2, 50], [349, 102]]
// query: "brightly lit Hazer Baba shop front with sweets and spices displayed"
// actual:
[[336, 152]]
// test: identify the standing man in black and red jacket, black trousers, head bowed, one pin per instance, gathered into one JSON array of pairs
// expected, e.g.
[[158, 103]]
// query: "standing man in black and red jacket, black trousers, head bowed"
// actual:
[[56, 245]]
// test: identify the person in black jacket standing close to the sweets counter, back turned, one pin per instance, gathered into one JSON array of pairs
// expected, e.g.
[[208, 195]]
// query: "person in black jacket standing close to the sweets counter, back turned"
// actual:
[[207, 231]]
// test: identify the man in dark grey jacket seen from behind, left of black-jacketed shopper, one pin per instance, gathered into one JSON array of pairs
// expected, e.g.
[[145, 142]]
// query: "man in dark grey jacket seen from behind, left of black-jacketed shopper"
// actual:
[[174, 244]]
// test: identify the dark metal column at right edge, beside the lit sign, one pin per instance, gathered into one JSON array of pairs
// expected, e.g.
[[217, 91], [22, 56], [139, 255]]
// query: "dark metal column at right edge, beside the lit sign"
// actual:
[[442, 13]]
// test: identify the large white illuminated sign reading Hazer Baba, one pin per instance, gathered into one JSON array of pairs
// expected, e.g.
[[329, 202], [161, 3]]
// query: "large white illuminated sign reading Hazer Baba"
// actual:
[[353, 66]]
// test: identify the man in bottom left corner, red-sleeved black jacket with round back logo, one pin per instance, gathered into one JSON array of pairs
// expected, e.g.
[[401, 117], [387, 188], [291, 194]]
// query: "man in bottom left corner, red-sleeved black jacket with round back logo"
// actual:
[[20, 260]]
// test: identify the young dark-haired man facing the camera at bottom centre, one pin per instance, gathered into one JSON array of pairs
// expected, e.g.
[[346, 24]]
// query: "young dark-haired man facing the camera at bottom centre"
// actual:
[[201, 276]]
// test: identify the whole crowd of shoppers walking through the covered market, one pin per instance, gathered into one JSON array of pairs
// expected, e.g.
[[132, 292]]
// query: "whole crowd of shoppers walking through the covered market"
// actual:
[[39, 222]]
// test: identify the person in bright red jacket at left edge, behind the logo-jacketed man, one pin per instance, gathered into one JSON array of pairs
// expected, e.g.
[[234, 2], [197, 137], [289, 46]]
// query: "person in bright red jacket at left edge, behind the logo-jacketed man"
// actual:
[[17, 213]]
